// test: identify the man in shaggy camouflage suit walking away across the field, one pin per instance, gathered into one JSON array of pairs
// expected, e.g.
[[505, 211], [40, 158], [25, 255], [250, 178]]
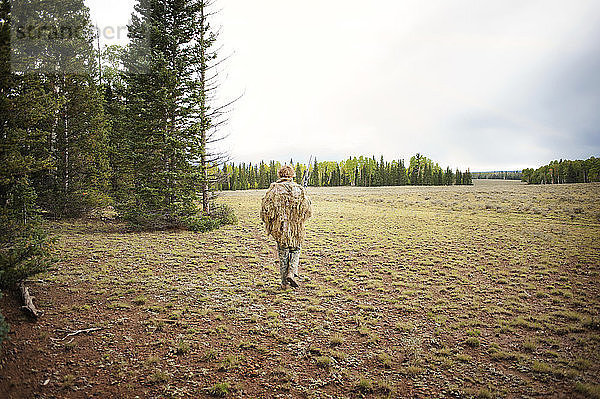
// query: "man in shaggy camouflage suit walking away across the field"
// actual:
[[285, 208]]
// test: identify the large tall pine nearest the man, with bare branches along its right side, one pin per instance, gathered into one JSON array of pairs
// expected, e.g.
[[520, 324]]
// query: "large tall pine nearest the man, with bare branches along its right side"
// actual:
[[172, 118]]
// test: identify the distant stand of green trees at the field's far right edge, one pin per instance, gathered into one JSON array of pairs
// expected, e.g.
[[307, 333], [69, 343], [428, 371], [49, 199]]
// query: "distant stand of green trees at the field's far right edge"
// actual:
[[564, 171]]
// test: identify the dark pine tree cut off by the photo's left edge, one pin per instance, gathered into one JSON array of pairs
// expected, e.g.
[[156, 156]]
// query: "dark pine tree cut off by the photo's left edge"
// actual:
[[23, 134]]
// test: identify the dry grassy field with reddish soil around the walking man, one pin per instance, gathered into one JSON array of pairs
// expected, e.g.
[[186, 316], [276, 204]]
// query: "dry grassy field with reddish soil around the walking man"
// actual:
[[483, 291]]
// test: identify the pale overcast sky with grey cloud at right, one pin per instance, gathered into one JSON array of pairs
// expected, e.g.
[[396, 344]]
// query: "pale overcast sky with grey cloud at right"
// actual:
[[484, 84]]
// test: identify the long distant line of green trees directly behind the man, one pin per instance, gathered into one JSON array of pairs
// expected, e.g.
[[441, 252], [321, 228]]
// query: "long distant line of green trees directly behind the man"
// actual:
[[355, 171]]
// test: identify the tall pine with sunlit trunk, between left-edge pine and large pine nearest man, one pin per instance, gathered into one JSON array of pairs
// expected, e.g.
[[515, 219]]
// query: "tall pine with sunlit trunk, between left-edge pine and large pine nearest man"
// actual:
[[60, 75]]
